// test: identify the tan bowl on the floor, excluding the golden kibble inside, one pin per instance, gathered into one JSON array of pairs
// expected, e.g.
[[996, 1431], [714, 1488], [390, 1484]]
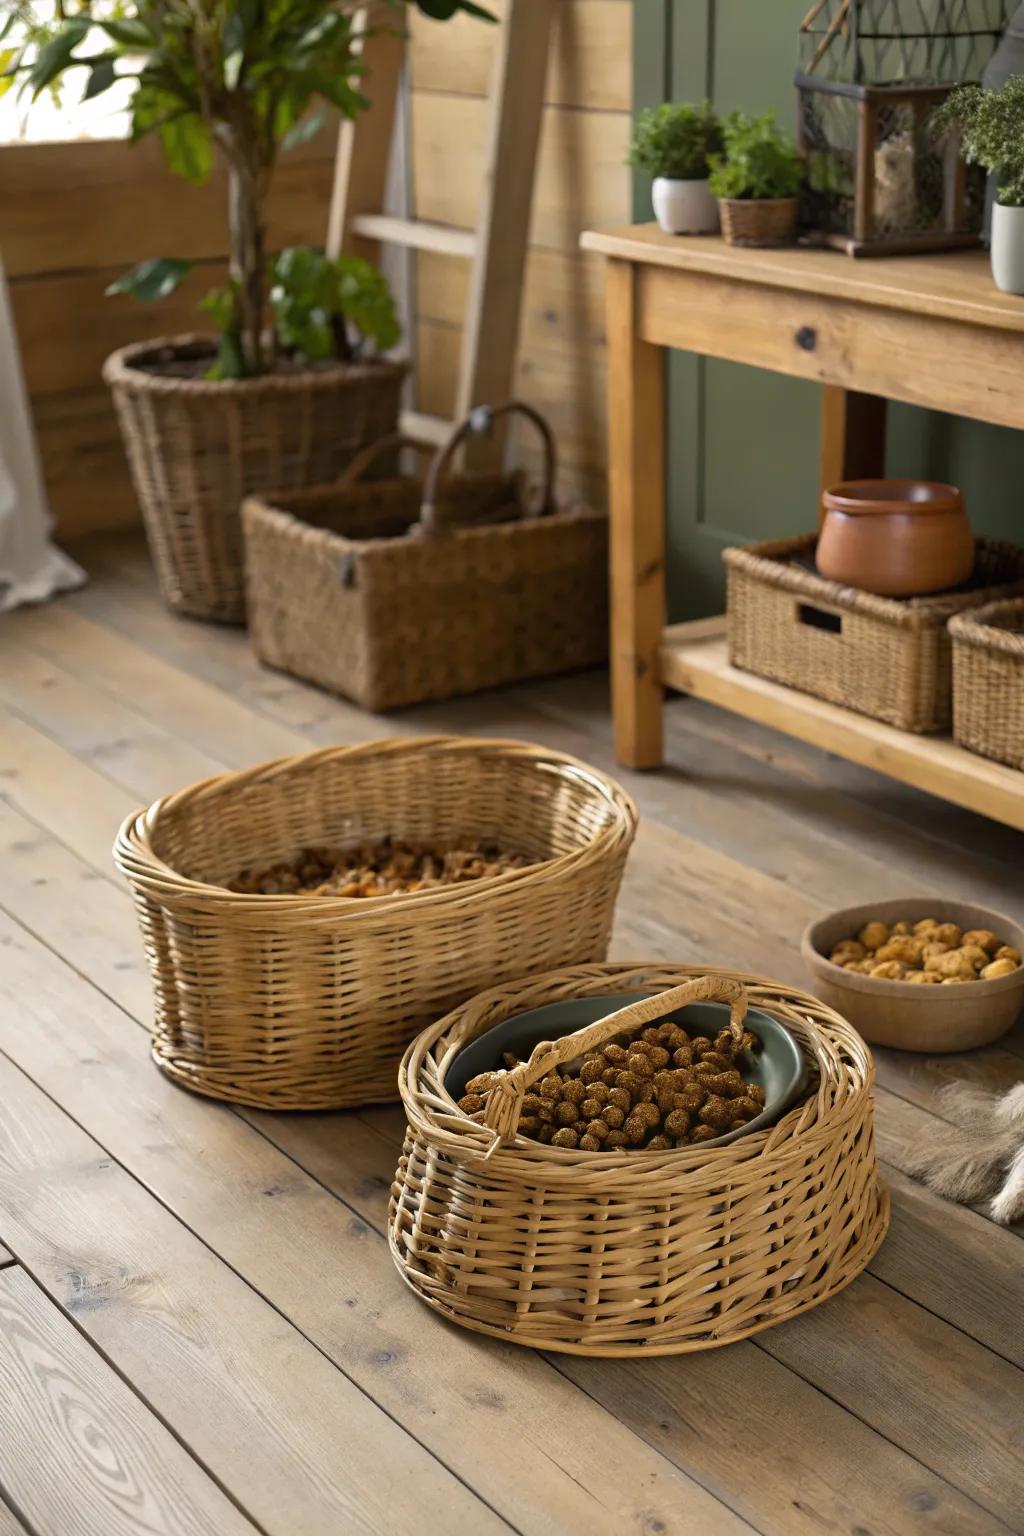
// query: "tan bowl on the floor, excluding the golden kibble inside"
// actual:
[[903, 1015]]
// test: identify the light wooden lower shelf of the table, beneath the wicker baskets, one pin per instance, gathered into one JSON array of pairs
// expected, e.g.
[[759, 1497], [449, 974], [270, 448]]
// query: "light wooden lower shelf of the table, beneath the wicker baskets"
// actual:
[[693, 660]]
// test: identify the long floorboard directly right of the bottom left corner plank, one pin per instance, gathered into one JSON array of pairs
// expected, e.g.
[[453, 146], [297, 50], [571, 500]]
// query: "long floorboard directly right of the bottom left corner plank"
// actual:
[[268, 1415]]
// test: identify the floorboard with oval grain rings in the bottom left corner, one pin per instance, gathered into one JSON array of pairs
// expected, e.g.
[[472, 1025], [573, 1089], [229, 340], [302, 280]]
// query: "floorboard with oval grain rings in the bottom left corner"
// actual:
[[81, 1452]]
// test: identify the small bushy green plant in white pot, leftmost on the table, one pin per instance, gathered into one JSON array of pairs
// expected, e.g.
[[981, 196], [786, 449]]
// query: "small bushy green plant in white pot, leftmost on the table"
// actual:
[[673, 144]]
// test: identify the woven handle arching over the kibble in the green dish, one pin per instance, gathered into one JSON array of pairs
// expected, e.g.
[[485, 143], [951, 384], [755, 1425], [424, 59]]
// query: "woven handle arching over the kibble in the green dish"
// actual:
[[504, 1102]]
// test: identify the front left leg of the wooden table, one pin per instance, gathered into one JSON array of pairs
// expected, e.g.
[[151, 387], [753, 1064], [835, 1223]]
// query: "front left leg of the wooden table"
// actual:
[[636, 489]]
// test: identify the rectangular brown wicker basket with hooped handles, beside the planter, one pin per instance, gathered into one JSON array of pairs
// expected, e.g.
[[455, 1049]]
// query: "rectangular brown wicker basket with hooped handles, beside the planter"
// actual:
[[483, 594]]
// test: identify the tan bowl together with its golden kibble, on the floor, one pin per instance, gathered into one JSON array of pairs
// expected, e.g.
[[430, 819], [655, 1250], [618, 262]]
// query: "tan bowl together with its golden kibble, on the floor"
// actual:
[[920, 973]]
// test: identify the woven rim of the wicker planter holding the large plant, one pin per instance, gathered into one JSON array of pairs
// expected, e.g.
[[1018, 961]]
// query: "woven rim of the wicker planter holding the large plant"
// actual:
[[122, 369]]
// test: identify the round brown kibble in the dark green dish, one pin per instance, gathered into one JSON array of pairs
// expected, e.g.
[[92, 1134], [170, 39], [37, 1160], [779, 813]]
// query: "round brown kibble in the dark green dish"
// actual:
[[656, 1093]]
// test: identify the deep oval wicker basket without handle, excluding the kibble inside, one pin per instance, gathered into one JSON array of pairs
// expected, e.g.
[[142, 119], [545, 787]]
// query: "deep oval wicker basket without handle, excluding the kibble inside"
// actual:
[[289, 1002]]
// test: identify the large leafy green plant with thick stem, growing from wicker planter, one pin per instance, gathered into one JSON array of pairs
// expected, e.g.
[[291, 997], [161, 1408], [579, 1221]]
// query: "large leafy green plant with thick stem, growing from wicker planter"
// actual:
[[239, 81]]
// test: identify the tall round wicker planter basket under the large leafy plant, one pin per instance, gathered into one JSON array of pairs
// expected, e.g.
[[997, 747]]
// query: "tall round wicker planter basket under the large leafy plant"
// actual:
[[197, 448]]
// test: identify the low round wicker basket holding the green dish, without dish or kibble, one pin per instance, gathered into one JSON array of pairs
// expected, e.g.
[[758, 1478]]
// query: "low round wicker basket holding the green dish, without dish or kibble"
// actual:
[[635, 1253]]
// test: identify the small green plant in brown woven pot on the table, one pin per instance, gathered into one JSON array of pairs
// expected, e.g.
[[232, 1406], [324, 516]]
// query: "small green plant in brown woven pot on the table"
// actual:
[[758, 180]]
